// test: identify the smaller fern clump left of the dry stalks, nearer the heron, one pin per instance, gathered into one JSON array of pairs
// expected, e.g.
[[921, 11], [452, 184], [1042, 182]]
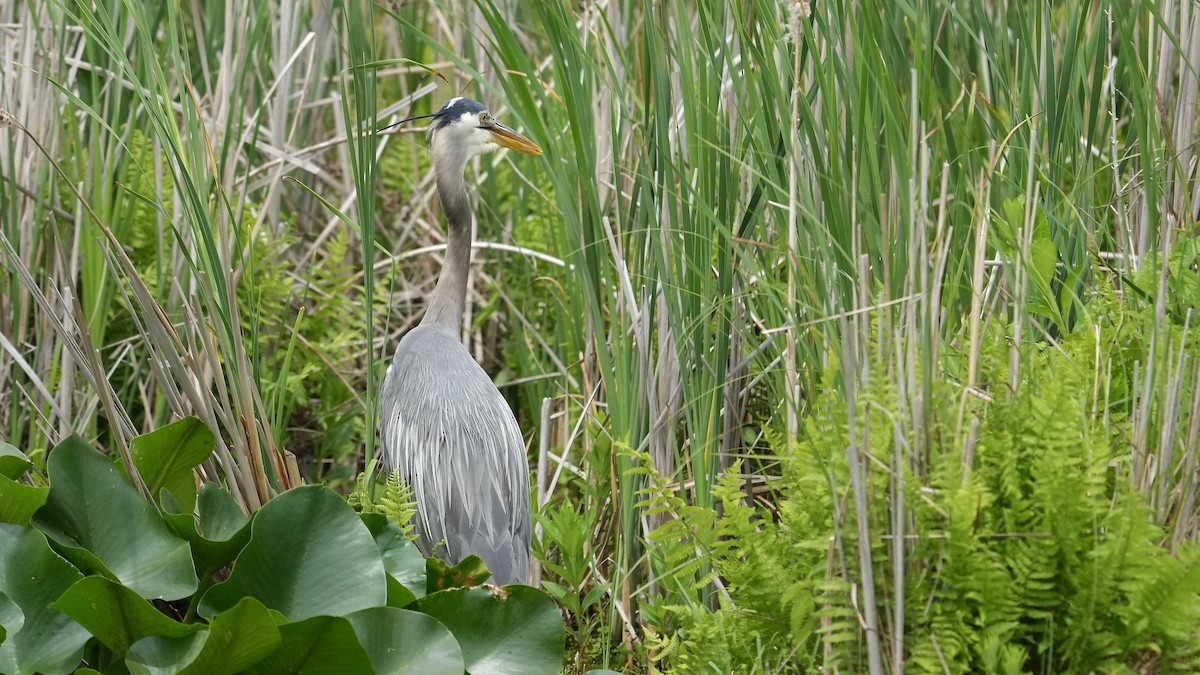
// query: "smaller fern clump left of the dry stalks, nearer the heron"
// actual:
[[776, 593]]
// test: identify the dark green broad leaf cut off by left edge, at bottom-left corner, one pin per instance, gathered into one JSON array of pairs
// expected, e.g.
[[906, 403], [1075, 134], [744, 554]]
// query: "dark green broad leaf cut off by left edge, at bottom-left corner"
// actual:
[[32, 577]]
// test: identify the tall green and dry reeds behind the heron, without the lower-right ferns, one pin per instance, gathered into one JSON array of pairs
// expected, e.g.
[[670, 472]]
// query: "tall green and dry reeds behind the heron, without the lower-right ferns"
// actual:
[[742, 198]]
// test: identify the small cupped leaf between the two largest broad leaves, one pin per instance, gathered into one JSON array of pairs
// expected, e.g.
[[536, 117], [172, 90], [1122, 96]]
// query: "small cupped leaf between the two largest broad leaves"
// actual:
[[218, 531]]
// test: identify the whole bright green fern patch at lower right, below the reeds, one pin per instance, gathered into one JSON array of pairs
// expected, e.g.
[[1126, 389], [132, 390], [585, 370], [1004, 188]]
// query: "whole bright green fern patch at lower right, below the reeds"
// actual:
[[1040, 554]]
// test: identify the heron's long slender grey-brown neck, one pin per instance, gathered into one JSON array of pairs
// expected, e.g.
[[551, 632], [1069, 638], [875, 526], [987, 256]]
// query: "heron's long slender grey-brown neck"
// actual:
[[449, 297]]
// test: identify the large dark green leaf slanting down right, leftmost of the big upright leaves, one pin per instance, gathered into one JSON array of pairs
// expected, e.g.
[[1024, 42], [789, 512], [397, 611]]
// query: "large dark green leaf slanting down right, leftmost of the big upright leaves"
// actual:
[[100, 522]]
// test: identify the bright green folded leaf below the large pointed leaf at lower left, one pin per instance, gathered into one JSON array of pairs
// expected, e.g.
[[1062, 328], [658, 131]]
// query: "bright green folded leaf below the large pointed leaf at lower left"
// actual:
[[116, 616]]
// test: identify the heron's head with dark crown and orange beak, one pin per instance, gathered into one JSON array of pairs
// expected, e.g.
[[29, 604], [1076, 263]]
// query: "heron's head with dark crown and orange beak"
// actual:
[[465, 129]]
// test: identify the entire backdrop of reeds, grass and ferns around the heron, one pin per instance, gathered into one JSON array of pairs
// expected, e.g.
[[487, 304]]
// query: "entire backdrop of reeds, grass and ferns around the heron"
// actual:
[[851, 336]]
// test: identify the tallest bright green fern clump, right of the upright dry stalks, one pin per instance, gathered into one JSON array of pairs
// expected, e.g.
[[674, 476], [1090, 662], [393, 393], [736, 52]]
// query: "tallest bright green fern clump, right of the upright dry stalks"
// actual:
[[1048, 545]]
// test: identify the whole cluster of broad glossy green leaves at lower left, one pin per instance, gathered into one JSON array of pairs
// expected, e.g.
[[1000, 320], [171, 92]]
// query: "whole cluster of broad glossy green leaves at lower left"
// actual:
[[309, 583]]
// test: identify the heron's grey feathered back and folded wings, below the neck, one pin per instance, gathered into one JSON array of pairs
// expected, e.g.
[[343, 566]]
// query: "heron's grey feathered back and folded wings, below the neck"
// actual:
[[452, 434]]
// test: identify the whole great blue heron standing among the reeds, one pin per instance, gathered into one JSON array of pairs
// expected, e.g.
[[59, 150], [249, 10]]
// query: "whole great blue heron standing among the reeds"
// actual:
[[442, 421]]
